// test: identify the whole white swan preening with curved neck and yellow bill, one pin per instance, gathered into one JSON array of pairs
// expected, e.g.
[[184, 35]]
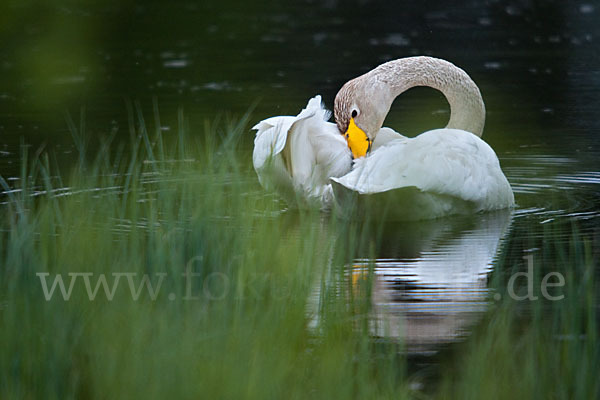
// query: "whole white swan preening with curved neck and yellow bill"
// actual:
[[440, 172]]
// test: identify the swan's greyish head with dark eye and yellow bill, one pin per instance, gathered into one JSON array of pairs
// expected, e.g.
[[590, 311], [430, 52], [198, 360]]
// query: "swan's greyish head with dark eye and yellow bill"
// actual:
[[359, 113]]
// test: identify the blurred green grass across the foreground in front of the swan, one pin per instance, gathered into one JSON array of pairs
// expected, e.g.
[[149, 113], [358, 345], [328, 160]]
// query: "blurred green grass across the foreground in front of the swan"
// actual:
[[244, 325]]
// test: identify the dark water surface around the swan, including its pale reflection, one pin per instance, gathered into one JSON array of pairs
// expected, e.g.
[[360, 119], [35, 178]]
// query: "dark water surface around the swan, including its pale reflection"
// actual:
[[537, 65]]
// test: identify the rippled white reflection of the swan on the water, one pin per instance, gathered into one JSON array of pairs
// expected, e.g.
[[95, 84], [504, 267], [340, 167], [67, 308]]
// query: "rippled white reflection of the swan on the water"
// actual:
[[429, 282]]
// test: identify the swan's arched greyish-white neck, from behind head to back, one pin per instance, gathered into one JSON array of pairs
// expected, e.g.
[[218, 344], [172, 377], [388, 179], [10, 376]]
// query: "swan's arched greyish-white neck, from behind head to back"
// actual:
[[467, 111]]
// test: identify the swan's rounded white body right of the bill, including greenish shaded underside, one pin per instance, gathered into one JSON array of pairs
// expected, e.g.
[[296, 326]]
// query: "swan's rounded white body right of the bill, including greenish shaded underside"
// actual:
[[440, 172]]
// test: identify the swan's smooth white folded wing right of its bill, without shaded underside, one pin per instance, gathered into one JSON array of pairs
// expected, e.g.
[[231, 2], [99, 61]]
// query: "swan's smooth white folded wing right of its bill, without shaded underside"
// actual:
[[449, 162]]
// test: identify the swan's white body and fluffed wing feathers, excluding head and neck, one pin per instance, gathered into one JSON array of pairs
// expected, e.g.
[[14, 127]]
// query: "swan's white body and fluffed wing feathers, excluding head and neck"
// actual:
[[439, 172]]
